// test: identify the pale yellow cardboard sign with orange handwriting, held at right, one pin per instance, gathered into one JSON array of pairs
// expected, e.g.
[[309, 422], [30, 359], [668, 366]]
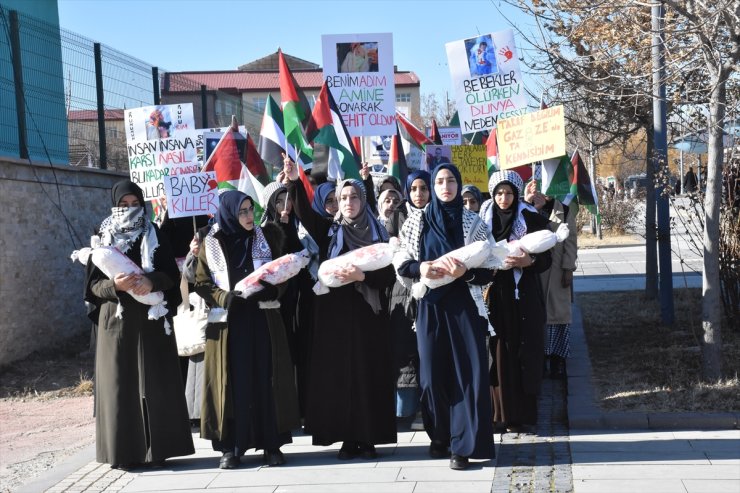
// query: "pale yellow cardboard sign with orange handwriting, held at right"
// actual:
[[532, 137]]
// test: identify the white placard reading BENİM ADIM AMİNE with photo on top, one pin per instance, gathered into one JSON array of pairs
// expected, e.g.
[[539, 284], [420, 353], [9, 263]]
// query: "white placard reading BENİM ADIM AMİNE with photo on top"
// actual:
[[358, 69]]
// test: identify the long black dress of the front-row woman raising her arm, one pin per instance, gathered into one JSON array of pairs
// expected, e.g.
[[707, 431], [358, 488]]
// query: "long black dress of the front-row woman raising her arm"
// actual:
[[351, 379]]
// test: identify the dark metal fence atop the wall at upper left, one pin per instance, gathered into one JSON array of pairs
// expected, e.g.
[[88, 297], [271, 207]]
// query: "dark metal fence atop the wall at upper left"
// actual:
[[62, 96]]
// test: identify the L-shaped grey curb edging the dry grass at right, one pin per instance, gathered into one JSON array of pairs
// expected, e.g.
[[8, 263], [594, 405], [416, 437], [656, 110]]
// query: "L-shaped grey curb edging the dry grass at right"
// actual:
[[584, 414]]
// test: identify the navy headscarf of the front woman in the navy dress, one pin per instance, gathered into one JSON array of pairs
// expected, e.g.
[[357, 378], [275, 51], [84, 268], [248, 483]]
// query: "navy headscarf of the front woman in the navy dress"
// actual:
[[442, 230]]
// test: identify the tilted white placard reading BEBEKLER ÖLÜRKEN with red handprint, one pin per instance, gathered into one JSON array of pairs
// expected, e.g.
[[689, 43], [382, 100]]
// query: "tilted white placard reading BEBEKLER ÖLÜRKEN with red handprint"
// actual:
[[487, 80]]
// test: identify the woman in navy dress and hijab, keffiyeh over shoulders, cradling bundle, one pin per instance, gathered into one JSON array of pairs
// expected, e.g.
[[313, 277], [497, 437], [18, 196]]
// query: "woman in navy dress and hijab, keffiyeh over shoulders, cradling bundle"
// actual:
[[451, 324]]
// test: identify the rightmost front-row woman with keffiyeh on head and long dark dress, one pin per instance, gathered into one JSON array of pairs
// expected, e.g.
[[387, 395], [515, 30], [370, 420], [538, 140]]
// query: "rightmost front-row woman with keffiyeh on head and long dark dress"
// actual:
[[516, 306]]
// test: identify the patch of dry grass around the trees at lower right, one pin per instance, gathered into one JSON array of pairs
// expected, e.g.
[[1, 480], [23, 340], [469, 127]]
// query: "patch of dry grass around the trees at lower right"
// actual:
[[641, 365]]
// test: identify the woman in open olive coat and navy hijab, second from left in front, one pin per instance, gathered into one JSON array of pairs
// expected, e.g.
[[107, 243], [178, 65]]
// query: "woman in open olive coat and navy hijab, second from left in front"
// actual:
[[249, 394]]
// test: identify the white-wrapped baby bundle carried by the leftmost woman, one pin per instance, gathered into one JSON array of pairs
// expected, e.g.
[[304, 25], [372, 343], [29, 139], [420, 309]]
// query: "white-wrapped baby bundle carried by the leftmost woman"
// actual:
[[112, 262]]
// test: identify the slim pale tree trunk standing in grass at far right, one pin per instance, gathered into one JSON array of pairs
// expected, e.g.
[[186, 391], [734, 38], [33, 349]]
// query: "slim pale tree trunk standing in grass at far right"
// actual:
[[711, 302]]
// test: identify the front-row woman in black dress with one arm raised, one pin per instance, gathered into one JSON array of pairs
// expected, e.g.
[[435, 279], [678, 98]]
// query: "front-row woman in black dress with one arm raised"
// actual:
[[350, 398]]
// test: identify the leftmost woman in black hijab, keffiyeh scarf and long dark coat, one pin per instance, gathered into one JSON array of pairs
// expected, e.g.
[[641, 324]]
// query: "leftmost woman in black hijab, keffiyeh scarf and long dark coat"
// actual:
[[140, 412]]
